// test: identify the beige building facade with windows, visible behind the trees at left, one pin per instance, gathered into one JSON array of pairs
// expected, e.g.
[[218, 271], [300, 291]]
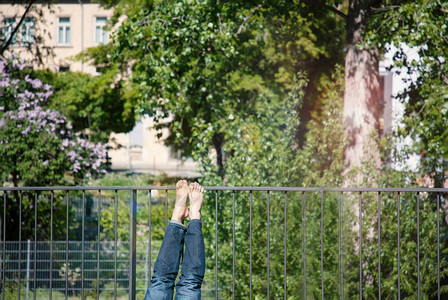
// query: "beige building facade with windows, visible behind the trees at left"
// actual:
[[65, 29]]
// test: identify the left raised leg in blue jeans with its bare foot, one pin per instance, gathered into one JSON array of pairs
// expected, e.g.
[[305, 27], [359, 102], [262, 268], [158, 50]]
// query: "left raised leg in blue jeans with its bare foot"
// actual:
[[167, 263]]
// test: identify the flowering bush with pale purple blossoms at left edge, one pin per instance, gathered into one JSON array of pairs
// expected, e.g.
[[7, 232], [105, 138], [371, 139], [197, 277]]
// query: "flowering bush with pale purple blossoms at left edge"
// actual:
[[37, 144]]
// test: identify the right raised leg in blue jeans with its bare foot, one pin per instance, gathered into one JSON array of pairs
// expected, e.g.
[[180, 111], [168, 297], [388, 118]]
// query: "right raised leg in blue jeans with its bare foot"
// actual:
[[193, 262]]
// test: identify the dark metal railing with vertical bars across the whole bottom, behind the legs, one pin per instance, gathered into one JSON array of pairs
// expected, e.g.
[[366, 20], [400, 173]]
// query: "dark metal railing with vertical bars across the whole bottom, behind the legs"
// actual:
[[269, 242]]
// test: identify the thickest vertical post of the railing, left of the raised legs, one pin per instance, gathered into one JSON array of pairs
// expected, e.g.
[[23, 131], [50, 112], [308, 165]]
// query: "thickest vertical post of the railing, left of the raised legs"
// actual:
[[132, 236]]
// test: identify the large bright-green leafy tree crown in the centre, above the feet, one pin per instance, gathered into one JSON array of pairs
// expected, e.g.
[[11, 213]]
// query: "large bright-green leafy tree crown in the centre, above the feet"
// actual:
[[204, 63]]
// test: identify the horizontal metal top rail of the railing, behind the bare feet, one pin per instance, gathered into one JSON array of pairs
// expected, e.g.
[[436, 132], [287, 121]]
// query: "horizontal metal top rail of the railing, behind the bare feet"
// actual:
[[227, 188]]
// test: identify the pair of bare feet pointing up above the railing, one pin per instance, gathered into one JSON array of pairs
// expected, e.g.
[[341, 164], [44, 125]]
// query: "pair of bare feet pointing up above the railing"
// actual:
[[195, 192]]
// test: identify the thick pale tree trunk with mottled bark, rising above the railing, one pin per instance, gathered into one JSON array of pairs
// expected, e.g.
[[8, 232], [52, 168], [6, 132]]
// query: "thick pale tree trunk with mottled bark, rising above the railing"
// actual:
[[362, 96]]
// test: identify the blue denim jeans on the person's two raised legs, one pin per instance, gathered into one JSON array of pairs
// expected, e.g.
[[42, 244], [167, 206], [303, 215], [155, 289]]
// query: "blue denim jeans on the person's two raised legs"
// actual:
[[167, 264]]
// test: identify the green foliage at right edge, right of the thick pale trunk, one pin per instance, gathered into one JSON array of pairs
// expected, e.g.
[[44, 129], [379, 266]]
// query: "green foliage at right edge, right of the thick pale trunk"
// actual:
[[418, 32]]
